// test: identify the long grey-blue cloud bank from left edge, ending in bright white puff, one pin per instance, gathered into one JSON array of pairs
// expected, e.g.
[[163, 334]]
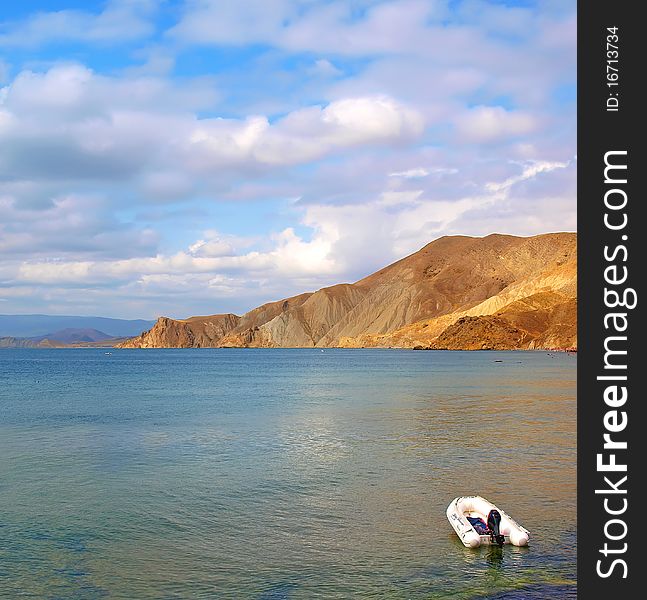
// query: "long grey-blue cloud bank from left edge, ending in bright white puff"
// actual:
[[70, 120]]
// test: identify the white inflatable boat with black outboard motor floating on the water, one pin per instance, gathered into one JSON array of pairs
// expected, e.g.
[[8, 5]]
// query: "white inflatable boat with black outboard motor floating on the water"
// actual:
[[478, 522]]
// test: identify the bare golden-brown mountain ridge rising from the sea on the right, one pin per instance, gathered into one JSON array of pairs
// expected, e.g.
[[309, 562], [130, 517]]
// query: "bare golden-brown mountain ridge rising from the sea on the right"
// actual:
[[457, 292]]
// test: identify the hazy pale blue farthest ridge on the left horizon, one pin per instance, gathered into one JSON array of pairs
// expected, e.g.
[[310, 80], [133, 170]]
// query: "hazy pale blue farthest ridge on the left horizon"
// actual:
[[31, 326]]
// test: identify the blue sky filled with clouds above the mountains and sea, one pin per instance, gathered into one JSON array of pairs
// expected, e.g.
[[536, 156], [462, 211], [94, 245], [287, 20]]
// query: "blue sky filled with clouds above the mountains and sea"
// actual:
[[185, 157]]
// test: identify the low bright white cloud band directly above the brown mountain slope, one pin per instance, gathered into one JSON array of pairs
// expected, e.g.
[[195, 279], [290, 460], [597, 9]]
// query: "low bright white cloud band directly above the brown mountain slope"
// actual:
[[346, 240]]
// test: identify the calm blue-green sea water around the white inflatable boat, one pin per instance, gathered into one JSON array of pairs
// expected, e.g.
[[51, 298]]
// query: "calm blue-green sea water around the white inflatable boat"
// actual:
[[282, 474]]
